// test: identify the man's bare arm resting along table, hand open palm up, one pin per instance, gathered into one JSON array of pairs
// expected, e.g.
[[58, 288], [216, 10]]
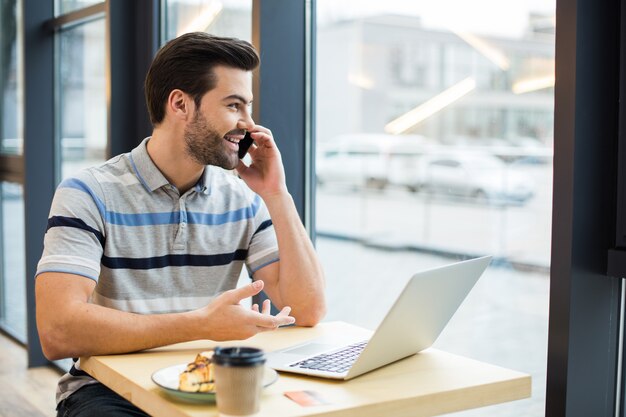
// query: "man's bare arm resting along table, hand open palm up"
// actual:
[[70, 326]]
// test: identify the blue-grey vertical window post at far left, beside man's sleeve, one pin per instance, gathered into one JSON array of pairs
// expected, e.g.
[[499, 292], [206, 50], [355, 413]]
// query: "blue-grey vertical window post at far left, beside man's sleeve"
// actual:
[[39, 178]]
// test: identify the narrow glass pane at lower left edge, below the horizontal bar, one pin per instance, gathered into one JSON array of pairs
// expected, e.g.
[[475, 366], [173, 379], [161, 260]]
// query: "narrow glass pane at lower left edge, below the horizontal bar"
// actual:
[[13, 275]]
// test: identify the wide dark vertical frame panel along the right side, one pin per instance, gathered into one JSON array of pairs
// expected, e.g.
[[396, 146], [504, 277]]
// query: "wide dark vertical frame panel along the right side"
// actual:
[[584, 302]]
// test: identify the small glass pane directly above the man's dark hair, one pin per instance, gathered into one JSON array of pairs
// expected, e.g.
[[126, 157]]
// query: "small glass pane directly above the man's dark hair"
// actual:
[[231, 18]]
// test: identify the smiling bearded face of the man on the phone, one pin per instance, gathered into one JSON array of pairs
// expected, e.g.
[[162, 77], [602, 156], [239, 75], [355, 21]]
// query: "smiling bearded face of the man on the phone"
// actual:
[[212, 136]]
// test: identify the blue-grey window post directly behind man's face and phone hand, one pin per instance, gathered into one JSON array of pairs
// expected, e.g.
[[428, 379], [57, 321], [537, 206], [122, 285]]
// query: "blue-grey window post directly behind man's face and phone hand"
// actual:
[[282, 89]]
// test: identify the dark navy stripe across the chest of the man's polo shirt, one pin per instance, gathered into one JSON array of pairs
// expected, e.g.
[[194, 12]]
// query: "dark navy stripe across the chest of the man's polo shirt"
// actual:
[[174, 260]]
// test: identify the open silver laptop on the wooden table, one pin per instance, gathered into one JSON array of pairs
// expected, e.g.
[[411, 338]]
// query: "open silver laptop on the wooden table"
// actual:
[[412, 324]]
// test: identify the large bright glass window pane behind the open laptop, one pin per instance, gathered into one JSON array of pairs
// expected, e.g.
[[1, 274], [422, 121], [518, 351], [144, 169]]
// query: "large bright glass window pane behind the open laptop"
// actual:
[[458, 105]]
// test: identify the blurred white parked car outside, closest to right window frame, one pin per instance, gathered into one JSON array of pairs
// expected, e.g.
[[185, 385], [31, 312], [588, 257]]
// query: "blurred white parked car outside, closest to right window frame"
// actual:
[[479, 176]]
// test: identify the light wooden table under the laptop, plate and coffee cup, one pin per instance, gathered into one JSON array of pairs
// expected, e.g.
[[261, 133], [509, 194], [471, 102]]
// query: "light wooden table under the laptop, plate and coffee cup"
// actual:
[[427, 384]]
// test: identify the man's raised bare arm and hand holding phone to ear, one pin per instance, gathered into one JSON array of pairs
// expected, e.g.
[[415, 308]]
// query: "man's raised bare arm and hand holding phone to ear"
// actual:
[[297, 279]]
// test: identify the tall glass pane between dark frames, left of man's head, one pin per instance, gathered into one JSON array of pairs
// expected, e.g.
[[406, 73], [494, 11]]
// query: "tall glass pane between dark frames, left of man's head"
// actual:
[[81, 78]]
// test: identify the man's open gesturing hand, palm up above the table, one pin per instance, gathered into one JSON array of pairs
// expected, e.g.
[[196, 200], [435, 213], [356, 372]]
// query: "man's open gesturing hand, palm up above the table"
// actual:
[[227, 319]]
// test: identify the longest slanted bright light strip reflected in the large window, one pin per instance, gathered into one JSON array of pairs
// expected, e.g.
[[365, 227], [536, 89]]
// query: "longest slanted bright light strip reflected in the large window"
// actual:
[[430, 107]]
